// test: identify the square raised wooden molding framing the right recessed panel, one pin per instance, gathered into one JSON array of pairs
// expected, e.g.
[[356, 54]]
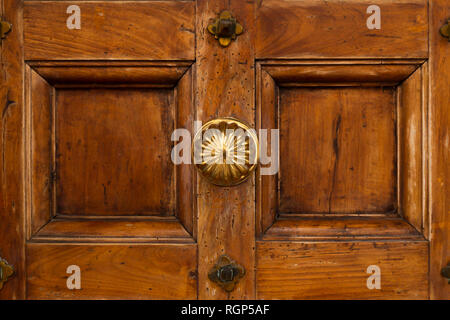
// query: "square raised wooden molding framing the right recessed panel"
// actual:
[[407, 216]]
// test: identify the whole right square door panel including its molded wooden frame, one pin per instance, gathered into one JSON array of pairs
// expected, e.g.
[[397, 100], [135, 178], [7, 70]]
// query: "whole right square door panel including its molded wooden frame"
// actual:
[[340, 150]]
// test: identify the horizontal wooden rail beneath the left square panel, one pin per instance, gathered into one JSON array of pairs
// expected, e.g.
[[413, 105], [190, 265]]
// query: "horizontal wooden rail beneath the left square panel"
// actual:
[[112, 271]]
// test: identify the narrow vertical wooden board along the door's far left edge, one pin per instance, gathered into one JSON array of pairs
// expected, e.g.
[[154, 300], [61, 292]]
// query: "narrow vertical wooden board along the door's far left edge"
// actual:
[[12, 233]]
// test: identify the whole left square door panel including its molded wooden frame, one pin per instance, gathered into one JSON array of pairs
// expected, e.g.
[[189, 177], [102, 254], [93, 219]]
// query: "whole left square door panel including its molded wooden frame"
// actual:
[[97, 148]]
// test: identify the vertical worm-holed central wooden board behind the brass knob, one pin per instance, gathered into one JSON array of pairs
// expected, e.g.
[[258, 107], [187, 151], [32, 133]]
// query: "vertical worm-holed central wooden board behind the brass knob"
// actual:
[[225, 87]]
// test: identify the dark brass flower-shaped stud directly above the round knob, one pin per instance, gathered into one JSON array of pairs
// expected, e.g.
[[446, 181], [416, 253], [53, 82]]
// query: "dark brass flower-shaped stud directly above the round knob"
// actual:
[[225, 28]]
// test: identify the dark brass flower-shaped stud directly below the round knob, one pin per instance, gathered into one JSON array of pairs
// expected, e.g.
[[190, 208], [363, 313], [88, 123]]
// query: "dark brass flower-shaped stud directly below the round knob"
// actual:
[[226, 273]]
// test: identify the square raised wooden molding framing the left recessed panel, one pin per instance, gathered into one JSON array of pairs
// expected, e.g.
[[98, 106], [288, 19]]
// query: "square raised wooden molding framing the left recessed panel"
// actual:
[[49, 219]]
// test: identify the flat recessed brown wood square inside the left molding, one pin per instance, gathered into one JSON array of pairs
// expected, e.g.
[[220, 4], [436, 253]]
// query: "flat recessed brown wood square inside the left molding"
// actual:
[[113, 151]]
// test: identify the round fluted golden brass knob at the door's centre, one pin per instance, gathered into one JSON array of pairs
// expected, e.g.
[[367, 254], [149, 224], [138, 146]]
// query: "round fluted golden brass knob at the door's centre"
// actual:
[[225, 151]]
